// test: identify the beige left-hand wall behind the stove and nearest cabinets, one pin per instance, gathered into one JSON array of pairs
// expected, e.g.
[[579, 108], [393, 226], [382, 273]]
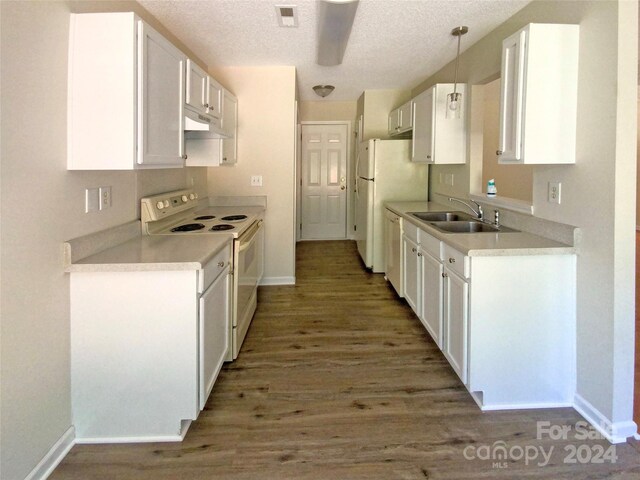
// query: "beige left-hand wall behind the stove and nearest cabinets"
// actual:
[[42, 205]]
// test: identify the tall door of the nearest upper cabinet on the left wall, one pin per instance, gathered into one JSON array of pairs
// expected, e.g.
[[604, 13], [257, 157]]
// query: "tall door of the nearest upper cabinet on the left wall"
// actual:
[[160, 100]]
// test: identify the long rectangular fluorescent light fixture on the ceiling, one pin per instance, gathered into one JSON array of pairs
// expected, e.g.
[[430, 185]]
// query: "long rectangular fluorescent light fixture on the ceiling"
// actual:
[[335, 19]]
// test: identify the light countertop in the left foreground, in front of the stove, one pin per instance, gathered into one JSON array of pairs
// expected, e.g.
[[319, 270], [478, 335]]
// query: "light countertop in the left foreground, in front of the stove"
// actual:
[[158, 252]]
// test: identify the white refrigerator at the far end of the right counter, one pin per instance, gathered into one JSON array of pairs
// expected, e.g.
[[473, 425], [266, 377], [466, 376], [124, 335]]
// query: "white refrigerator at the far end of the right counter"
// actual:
[[384, 173]]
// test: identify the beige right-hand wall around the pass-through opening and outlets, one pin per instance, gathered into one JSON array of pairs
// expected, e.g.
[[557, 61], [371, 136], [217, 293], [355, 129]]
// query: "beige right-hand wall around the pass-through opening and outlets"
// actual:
[[598, 193]]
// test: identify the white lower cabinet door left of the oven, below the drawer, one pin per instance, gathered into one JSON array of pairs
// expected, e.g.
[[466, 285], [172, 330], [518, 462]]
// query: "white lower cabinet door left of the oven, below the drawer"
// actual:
[[214, 333]]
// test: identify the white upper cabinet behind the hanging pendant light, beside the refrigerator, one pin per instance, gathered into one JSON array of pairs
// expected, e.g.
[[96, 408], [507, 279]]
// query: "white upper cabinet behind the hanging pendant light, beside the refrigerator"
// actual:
[[436, 138]]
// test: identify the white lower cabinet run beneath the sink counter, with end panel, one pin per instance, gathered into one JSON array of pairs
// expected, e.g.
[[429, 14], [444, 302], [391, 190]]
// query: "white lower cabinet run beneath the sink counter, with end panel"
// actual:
[[506, 324]]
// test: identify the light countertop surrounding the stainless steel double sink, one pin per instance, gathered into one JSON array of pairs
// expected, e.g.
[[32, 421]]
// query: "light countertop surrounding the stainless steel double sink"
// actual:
[[481, 244]]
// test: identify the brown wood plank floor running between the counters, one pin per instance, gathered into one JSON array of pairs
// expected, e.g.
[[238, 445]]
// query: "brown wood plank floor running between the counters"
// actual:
[[337, 379]]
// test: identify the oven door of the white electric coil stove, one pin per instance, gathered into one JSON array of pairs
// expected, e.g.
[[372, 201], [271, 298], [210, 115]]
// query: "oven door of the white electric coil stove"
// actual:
[[247, 271]]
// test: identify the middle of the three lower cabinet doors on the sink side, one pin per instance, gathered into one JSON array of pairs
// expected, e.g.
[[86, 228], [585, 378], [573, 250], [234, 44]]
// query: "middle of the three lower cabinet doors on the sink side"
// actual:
[[432, 301]]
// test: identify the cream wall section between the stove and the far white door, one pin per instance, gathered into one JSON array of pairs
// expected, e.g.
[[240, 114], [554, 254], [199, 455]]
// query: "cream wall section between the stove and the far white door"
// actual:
[[266, 136]]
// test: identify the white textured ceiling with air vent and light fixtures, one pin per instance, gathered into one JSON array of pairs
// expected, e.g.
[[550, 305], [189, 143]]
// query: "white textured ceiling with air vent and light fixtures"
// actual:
[[393, 43]]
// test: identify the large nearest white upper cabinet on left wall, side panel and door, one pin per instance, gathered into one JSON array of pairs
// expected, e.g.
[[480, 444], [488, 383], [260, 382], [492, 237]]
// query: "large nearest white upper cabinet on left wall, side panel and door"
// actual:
[[125, 95]]
